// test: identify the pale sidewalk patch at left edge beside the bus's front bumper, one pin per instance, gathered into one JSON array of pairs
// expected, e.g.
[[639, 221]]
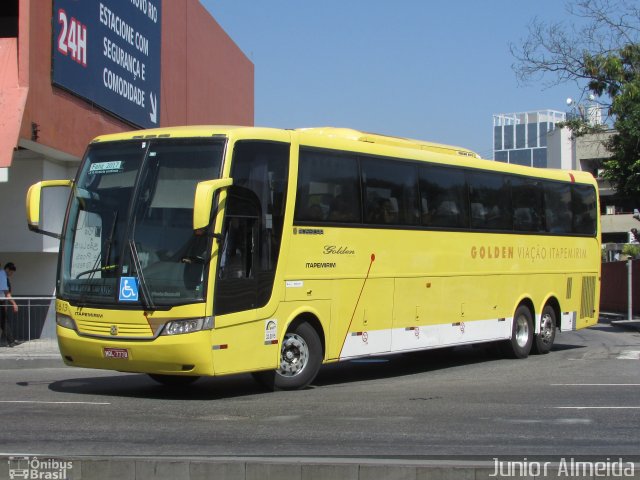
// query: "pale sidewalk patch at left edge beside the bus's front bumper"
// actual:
[[41, 353]]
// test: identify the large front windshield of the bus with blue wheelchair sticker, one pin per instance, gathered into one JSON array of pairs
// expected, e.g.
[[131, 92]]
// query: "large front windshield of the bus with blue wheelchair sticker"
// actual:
[[130, 222]]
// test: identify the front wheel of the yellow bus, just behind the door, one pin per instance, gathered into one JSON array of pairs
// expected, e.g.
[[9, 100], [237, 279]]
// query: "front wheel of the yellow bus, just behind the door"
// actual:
[[300, 360]]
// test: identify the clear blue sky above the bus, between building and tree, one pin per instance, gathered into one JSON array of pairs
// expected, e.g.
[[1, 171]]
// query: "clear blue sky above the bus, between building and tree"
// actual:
[[424, 69]]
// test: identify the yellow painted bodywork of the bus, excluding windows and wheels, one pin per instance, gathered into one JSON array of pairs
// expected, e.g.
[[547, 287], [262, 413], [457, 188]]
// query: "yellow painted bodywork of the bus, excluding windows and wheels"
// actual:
[[371, 291]]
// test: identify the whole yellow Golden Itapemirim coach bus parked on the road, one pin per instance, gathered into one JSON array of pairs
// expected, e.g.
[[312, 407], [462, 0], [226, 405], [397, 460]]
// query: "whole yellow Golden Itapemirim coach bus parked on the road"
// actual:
[[216, 250]]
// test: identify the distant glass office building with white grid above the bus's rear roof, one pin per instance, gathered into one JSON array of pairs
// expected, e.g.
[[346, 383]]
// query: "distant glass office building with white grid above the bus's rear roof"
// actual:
[[521, 138]]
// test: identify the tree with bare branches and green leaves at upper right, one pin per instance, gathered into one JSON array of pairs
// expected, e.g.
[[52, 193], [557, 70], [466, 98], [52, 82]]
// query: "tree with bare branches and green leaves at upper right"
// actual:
[[600, 52]]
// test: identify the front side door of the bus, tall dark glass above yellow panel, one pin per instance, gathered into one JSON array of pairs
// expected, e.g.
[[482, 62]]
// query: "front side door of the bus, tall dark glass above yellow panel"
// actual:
[[248, 252]]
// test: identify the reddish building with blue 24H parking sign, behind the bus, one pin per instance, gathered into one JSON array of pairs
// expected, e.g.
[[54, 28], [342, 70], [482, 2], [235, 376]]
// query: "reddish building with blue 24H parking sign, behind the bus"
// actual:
[[200, 77]]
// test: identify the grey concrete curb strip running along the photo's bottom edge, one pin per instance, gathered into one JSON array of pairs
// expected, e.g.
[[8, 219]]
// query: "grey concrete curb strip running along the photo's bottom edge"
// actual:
[[302, 468]]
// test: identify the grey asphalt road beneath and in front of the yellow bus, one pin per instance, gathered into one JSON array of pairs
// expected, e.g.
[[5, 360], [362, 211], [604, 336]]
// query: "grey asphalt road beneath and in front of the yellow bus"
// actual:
[[581, 399]]
